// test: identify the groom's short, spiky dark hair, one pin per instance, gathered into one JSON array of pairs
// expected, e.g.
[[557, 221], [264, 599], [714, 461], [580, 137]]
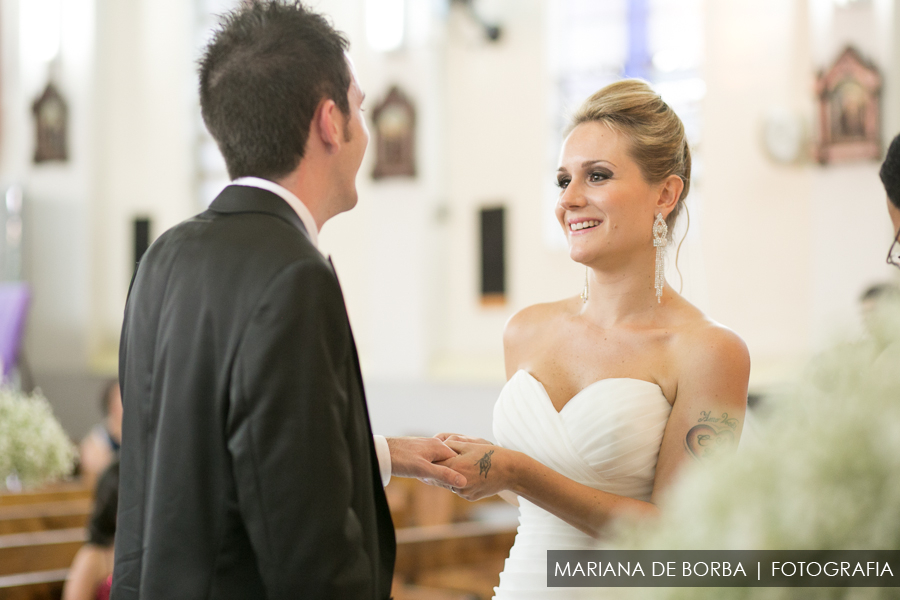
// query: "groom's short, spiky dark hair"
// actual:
[[262, 76]]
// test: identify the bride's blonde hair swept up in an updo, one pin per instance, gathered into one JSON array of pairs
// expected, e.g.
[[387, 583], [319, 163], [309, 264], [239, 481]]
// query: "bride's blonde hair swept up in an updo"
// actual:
[[658, 143]]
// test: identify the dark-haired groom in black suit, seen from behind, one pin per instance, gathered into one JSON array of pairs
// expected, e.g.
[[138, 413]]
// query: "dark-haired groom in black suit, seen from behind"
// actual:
[[248, 467]]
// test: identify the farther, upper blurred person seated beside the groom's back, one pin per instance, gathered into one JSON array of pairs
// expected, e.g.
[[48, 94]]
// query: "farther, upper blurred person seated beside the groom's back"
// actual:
[[100, 447]]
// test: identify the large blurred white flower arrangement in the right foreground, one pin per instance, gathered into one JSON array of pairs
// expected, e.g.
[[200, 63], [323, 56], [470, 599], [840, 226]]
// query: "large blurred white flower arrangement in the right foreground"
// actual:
[[825, 474]]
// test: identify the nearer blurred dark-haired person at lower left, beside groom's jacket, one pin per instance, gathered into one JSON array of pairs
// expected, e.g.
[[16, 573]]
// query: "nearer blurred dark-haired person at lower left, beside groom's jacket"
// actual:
[[90, 576]]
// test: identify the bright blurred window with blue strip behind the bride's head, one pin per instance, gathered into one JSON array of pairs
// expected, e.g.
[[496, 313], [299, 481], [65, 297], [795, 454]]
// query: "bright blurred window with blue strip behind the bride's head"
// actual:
[[593, 44]]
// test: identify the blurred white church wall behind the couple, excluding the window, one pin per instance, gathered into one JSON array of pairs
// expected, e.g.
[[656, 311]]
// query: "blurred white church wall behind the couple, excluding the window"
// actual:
[[781, 253]]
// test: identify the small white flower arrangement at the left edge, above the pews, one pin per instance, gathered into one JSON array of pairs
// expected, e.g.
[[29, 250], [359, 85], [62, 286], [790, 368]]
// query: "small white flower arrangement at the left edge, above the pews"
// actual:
[[34, 448]]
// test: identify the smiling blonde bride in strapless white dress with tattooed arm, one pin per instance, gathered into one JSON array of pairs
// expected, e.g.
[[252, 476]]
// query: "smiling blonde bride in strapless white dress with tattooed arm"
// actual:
[[609, 393]]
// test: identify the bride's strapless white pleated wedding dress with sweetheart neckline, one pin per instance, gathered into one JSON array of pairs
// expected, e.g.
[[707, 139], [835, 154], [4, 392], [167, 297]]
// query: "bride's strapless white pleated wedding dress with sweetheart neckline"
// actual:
[[607, 437]]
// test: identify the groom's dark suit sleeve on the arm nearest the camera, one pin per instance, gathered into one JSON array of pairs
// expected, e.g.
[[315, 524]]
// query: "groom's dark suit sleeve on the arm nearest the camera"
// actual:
[[291, 458]]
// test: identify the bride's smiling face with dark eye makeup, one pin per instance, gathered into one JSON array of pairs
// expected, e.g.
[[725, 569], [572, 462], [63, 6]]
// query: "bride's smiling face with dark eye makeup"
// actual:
[[605, 206]]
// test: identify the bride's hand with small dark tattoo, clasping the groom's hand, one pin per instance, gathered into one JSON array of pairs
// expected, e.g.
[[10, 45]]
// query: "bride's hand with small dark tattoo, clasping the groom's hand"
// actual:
[[487, 468]]
